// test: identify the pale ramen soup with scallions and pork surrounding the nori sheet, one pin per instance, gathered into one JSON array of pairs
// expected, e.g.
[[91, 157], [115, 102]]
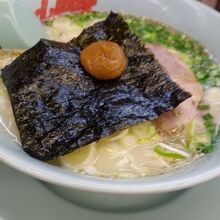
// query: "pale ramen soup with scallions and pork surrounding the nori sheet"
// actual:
[[172, 140]]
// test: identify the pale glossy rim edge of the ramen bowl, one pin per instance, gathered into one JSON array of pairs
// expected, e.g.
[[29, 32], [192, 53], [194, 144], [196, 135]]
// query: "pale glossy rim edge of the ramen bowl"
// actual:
[[82, 182]]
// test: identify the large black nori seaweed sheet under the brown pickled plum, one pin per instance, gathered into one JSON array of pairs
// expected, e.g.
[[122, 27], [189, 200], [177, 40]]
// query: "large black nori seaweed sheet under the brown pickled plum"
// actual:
[[59, 107]]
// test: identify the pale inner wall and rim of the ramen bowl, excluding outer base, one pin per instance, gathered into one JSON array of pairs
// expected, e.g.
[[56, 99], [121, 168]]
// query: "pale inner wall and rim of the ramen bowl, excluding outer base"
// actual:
[[188, 16]]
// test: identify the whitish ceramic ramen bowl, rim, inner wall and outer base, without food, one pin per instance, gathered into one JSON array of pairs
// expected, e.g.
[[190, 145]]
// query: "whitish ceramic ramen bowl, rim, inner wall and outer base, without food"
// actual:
[[188, 16]]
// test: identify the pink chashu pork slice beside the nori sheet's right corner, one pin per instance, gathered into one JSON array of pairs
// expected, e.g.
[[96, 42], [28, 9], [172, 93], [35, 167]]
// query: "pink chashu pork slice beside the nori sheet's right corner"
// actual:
[[180, 73]]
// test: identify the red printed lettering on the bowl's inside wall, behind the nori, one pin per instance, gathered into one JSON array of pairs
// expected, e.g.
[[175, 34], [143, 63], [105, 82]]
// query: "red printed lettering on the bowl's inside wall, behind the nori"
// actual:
[[62, 6]]
